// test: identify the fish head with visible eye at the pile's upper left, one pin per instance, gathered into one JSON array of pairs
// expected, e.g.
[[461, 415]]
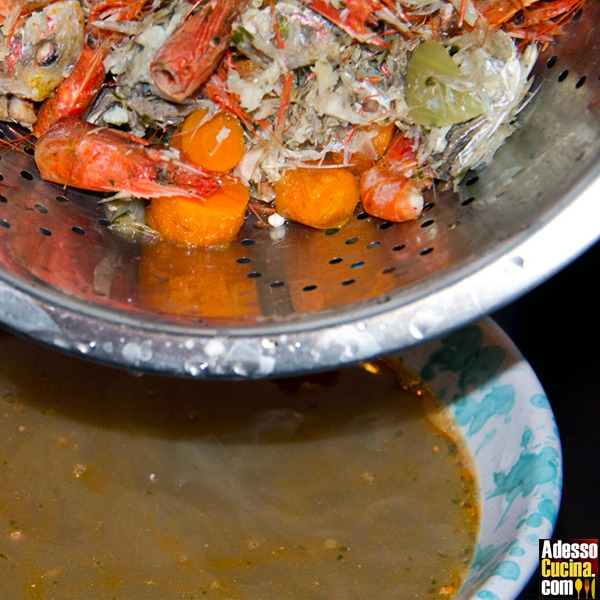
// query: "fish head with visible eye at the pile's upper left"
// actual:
[[41, 51]]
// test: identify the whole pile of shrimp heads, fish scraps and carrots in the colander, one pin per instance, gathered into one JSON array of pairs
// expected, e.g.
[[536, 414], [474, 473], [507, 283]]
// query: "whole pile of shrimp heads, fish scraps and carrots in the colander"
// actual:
[[388, 96]]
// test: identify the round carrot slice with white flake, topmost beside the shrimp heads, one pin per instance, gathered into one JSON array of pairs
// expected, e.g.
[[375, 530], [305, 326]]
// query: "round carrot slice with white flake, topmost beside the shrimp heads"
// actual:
[[216, 144]]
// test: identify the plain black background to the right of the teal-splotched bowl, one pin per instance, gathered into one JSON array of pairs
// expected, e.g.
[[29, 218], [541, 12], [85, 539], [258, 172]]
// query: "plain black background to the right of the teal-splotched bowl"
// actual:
[[557, 328]]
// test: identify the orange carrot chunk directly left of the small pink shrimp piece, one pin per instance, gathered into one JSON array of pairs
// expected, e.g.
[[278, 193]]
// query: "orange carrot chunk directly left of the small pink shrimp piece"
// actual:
[[320, 198]]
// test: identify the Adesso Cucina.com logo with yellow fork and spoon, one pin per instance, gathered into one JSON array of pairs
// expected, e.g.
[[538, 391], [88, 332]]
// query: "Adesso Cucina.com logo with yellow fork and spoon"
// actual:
[[568, 569]]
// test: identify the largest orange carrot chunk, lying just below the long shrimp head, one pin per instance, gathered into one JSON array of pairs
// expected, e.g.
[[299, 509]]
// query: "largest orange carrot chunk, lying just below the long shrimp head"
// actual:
[[189, 222]]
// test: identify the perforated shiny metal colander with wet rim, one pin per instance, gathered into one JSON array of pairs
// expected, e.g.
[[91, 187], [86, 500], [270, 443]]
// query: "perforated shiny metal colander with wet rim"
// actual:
[[292, 300]]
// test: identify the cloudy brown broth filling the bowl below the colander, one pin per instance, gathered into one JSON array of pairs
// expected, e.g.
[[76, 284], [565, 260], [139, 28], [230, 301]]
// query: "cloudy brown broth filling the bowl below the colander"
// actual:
[[345, 485]]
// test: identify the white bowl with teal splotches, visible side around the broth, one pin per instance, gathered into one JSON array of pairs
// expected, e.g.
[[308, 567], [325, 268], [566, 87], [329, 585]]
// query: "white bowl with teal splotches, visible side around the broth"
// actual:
[[506, 419]]
